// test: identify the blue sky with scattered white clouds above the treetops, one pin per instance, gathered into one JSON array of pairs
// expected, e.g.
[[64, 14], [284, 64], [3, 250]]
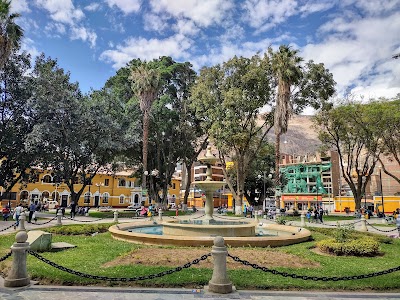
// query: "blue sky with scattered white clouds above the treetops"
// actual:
[[355, 39]]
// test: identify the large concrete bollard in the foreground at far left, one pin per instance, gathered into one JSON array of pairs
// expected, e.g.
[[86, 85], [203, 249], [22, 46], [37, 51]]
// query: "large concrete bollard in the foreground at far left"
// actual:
[[18, 275]]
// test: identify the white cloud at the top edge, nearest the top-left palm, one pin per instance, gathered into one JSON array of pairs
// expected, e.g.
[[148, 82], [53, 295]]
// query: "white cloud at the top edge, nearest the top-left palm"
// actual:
[[62, 11]]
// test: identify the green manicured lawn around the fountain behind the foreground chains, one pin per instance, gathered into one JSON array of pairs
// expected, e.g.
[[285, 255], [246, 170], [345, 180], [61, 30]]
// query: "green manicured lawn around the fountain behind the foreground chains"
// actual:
[[94, 251]]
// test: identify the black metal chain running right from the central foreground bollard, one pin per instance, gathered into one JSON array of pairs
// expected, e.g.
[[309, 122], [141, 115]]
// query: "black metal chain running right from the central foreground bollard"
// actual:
[[315, 278]]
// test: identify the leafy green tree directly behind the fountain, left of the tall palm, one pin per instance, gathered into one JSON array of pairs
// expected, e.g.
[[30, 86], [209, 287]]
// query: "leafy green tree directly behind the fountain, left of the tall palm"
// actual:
[[228, 99]]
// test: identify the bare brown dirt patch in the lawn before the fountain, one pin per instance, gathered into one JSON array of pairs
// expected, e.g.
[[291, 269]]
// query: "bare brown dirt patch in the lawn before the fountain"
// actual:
[[178, 257]]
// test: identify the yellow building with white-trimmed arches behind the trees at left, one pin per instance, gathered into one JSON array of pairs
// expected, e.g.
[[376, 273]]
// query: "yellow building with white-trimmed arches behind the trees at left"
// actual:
[[116, 190]]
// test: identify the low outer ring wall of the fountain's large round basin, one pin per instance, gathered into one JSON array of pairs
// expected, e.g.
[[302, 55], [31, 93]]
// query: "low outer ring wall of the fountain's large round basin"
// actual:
[[292, 235]]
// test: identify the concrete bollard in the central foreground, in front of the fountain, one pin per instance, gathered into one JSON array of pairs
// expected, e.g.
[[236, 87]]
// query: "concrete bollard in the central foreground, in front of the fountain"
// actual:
[[219, 282]]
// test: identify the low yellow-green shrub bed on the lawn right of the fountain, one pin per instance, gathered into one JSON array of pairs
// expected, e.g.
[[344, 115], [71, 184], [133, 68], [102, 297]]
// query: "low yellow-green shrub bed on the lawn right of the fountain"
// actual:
[[364, 246]]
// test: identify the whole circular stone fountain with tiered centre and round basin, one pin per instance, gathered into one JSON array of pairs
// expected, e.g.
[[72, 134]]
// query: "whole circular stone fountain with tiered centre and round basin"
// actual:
[[202, 230]]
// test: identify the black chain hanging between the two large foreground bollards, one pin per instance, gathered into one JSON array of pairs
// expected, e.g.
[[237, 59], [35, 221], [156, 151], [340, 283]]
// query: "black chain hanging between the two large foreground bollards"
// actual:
[[124, 279]]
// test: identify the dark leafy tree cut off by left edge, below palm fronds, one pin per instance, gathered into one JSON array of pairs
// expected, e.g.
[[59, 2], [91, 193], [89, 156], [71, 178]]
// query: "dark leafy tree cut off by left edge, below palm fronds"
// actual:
[[16, 120]]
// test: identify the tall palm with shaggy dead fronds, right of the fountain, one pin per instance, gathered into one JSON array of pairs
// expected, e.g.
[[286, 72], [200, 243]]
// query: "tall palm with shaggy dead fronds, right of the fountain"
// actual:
[[287, 70]]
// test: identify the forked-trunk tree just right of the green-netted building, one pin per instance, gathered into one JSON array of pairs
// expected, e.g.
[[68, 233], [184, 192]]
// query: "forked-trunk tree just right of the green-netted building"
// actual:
[[348, 130]]
